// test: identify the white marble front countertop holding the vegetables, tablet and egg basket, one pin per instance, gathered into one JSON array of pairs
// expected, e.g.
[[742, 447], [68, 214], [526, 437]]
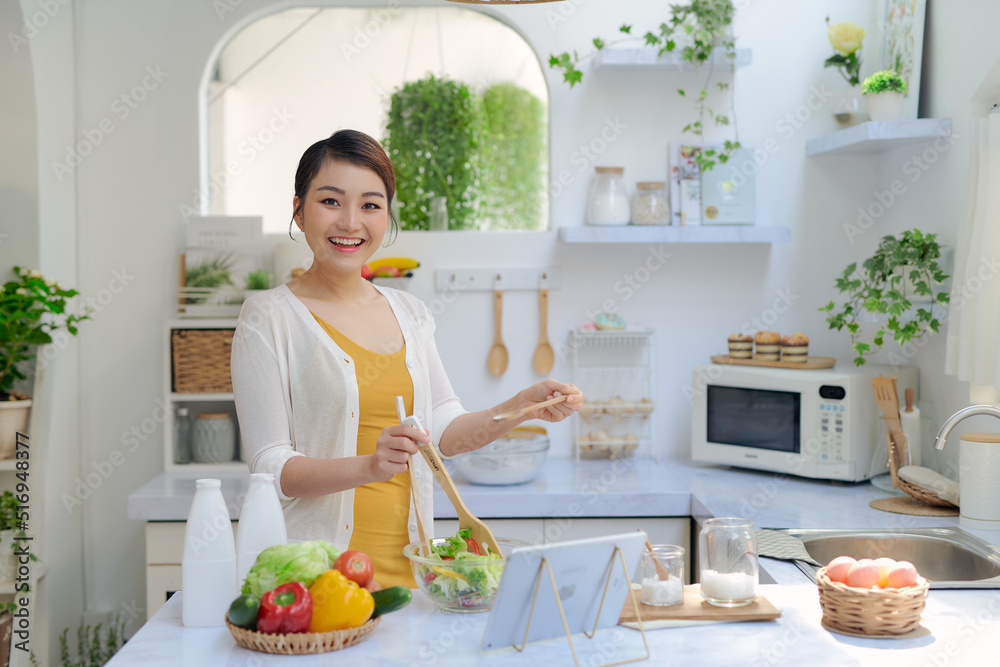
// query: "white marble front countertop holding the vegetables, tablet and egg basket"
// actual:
[[961, 629]]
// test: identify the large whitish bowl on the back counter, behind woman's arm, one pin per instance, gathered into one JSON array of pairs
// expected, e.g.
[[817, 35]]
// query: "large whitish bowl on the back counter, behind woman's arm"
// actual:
[[508, 460]]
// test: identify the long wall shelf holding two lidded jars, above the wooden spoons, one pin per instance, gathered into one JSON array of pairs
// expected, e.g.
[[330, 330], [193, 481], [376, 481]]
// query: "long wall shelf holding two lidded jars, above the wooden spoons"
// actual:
[[675, 234]]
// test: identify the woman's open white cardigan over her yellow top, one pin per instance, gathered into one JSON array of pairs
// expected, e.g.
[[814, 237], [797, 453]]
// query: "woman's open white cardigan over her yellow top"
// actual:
[[296, 394]]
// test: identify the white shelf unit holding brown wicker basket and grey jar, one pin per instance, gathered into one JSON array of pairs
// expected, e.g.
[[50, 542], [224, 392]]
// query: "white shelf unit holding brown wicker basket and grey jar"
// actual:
[[197, 401]]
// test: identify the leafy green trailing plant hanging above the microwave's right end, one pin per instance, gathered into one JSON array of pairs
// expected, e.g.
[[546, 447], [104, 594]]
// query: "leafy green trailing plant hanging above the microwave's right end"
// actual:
[[902, 270]]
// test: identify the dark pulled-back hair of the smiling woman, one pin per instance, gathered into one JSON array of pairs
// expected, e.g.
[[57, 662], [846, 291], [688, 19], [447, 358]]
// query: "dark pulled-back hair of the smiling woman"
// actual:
[[351, 146]]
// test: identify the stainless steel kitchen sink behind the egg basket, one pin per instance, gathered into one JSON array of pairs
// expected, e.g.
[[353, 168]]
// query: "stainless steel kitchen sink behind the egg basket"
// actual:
[[946, 557]]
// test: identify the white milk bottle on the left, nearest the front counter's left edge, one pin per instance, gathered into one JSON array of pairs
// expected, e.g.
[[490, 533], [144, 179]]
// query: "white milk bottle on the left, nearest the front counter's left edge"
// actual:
[[208, 566]]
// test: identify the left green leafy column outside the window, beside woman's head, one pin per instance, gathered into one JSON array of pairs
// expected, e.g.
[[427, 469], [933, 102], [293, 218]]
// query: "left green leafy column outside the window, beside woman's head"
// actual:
[[434, 137]]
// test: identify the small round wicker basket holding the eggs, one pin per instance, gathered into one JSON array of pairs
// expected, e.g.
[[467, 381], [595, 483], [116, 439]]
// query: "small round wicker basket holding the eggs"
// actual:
[[871, 611]]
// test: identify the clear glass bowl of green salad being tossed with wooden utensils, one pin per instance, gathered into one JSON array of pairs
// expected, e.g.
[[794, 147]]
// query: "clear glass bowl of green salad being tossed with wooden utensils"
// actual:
[[463, 584]]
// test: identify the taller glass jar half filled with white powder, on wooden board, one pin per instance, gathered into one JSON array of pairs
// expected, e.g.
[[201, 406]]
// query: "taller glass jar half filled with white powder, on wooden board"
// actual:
[[728, 559]]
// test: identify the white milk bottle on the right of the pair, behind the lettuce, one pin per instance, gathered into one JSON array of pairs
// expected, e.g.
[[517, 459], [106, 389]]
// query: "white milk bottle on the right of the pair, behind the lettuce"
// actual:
[[262, 524]]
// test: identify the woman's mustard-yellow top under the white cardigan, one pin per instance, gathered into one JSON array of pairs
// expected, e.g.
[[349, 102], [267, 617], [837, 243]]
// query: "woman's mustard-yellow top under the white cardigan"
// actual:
[[380, 508]]
